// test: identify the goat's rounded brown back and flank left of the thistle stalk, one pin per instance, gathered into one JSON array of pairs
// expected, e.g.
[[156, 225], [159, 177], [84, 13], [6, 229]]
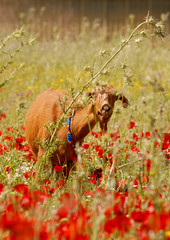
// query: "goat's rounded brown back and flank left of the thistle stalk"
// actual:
[[45, 109]]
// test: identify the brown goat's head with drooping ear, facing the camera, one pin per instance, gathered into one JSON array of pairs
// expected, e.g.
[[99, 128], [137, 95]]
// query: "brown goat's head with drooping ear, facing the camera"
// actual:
[[105, 97]]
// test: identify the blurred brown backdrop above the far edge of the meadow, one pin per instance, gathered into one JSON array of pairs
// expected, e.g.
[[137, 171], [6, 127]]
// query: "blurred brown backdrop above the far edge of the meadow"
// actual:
[[50, 18]]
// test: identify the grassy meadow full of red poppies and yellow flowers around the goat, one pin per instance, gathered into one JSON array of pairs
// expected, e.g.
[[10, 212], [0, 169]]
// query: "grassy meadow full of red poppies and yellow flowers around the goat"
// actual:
[[120, 188]]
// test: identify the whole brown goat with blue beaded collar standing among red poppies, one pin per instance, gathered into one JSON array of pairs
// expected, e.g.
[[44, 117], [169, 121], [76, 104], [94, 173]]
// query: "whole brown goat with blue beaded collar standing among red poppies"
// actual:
[[47, 108]]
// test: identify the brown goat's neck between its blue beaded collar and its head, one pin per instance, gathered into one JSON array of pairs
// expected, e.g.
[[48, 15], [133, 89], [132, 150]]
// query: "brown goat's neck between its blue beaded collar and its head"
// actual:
[[83, 121]]
